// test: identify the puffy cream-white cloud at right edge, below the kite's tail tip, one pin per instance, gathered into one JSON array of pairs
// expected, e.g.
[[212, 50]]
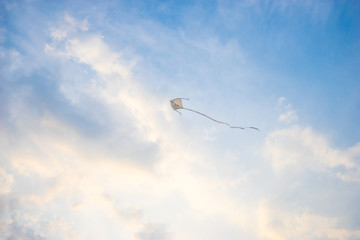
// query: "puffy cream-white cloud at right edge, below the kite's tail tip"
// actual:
[[295, 149]]
